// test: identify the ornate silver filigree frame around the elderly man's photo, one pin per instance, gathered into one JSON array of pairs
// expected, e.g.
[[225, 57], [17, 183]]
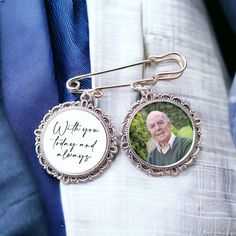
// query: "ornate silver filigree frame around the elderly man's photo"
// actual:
[[173, 169]]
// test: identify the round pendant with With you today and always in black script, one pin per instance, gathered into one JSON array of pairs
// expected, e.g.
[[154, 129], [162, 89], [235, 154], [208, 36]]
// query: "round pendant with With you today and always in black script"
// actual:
[[75, 142]]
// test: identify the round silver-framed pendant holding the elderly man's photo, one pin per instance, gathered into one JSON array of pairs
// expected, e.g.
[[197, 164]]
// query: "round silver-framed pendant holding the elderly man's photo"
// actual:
[[161, 134]]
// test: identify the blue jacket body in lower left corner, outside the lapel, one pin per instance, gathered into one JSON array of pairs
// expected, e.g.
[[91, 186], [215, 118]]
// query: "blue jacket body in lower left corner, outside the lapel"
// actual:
[[20, 207]]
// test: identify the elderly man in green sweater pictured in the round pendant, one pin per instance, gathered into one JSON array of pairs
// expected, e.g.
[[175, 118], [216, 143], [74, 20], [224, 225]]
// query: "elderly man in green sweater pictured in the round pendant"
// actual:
[[169, 148]]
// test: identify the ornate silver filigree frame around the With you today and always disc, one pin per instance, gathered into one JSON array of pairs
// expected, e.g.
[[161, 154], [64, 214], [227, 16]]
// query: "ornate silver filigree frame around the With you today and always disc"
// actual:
[[111, 148]]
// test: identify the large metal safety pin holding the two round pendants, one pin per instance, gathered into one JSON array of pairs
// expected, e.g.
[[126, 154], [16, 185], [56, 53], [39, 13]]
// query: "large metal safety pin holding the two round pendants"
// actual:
[[73, 84]]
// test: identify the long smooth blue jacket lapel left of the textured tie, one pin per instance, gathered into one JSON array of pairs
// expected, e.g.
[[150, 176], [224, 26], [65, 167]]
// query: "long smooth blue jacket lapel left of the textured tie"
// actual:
[[29, 90]]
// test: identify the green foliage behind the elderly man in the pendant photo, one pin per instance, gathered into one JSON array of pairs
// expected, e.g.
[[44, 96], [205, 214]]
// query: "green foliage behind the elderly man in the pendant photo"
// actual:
[[140, 138]]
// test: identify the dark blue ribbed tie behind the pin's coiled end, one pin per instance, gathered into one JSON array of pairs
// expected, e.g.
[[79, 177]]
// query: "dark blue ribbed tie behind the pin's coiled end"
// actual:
[[68, 23]]
